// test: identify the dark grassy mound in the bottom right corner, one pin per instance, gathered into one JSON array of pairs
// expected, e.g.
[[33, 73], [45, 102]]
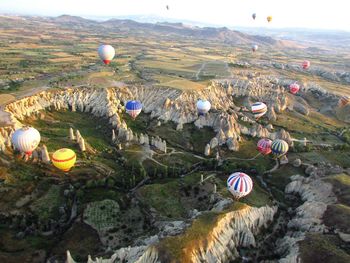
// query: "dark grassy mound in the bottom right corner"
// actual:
[[322, 248]]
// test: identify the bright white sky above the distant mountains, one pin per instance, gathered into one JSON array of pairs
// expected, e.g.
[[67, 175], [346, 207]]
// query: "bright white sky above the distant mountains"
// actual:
[[320, 14]]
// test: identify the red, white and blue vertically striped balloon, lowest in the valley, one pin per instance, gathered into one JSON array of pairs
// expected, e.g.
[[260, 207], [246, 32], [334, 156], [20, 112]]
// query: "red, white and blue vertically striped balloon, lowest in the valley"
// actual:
[[239, 184]]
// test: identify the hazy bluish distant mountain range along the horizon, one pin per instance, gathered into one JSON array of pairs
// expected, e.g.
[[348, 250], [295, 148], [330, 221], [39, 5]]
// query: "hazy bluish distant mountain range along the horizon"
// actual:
[[293, 38]]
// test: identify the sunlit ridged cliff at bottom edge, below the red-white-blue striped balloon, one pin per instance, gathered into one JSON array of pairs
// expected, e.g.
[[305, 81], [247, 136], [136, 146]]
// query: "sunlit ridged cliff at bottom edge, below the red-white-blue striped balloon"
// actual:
[[234, 229]]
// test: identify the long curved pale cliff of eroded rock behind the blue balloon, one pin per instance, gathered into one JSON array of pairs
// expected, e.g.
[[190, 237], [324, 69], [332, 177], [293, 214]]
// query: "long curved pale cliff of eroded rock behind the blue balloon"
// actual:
[[163, 104]]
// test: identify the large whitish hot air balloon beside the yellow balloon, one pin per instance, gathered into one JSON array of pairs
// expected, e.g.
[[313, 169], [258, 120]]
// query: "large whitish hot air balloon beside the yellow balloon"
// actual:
[[26, 139]]
